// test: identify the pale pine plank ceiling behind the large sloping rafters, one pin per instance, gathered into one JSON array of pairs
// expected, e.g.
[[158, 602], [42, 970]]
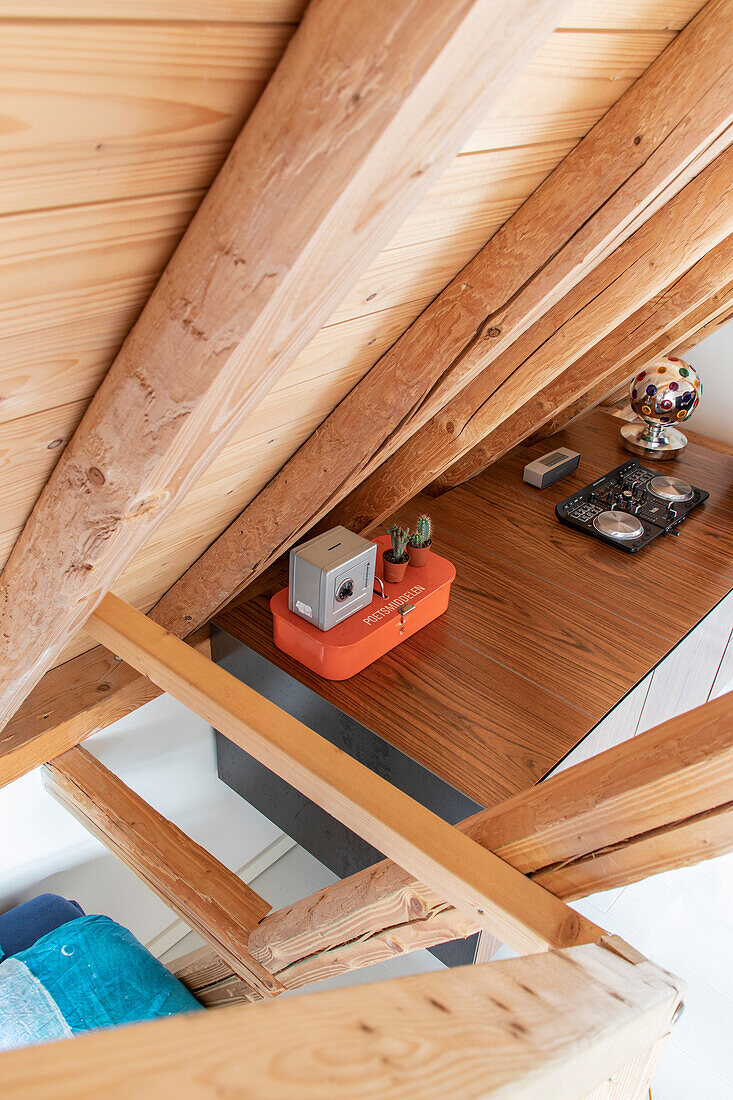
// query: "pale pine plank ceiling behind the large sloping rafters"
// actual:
[[114, 122]]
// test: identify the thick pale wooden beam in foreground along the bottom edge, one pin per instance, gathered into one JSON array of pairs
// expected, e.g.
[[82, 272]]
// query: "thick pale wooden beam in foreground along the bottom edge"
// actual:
[[568, 1020]]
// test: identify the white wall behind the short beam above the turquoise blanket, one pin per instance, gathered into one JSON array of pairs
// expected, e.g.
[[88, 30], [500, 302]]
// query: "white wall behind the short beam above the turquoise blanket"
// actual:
[[167, 754]]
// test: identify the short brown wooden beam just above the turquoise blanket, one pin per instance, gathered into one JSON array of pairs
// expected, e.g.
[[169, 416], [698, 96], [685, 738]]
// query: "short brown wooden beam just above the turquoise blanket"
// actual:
[[207, 896]]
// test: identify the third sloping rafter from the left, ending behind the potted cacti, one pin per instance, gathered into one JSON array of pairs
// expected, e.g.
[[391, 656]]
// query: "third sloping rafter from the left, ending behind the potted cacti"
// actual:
[[695, 223]]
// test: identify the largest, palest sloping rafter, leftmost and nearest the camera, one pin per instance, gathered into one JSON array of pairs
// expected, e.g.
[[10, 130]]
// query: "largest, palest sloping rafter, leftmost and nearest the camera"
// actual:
[[368, 105]]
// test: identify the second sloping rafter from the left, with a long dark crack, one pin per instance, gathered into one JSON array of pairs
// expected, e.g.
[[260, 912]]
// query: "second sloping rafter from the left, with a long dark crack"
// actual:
[[660, 135]]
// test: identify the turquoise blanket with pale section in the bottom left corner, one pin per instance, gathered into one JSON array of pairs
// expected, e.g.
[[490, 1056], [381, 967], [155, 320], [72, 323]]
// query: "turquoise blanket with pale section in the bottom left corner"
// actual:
[[87, 974]]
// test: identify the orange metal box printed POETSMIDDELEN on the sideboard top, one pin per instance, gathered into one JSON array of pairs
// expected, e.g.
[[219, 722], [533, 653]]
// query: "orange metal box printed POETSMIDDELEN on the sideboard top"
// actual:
[[366, 636]]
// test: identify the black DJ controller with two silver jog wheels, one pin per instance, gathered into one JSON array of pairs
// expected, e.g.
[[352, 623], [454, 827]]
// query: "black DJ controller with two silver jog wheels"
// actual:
[[630, 507]]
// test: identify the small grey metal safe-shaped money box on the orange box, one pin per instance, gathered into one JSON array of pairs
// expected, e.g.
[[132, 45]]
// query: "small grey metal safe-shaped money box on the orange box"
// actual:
[[332, 577]]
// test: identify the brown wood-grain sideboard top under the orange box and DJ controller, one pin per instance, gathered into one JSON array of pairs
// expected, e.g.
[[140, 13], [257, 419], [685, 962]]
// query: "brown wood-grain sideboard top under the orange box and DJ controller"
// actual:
[[549, 633]]
